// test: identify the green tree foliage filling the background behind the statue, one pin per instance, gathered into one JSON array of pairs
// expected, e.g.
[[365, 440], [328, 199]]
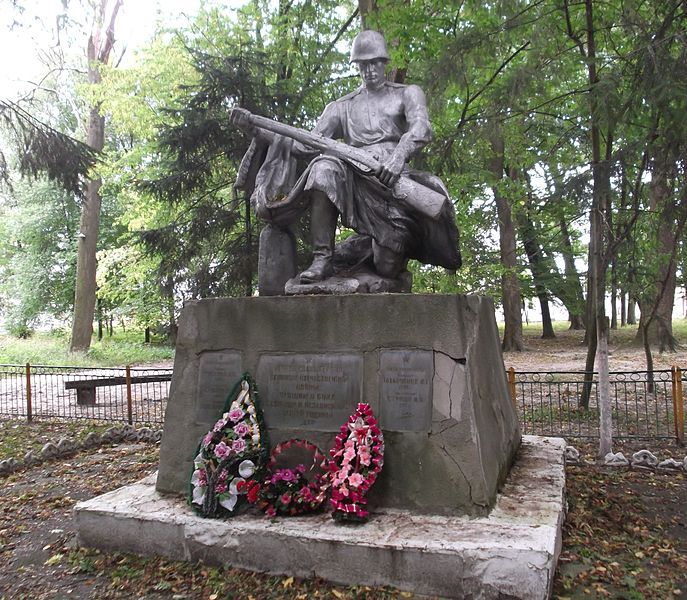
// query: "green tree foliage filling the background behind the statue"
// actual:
[[174, 229]]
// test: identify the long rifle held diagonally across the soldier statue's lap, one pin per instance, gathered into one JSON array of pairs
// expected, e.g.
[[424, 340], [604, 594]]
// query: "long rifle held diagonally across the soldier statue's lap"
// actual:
[[414, 194]]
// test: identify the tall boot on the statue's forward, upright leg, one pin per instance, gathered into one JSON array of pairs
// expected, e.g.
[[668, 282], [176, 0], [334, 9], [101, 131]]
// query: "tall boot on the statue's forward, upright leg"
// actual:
[[323, 218]]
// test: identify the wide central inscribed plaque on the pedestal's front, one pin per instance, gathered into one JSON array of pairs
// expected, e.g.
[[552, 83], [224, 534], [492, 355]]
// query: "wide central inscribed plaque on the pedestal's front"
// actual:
[[316, 392]]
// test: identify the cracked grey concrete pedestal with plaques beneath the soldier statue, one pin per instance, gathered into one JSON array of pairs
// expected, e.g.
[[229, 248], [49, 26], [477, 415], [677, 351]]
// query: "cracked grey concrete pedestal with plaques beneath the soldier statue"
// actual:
[[430, 366]]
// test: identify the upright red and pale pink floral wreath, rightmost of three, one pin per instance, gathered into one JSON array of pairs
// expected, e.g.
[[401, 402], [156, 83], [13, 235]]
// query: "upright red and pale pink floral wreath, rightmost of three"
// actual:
[[356, 460]]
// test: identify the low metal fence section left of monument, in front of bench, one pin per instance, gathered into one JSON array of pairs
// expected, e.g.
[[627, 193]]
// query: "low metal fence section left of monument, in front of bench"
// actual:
[[135, 395]]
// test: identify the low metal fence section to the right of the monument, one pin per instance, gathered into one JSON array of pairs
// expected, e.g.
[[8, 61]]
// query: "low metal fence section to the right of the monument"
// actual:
[[642, 406]]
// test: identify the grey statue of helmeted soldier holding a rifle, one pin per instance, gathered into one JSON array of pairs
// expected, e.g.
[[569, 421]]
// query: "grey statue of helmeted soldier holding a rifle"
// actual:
[[389, 122]]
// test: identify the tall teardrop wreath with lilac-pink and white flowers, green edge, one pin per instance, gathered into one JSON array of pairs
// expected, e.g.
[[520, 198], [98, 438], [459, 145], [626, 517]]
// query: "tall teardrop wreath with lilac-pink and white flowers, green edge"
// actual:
[[232, 453]]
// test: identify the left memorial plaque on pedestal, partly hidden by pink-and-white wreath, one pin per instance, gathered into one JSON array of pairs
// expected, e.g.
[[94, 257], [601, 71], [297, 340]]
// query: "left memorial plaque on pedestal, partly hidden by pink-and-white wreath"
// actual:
[[218, 372]]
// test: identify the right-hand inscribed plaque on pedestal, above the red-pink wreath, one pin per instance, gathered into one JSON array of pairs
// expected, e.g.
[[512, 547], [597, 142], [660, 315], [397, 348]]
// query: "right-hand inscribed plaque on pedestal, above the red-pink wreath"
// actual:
[[405, 389]]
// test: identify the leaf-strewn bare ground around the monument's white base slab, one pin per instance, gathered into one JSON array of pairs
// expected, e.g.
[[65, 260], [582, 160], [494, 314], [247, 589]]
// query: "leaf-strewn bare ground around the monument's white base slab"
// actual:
[[625, 537]]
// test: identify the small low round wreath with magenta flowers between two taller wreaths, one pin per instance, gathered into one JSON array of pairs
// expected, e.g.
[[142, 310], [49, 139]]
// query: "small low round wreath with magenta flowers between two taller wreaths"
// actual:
[[289, 491]]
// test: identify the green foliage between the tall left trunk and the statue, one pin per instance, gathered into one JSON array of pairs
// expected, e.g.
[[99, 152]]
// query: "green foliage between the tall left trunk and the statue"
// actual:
[[176, 179]]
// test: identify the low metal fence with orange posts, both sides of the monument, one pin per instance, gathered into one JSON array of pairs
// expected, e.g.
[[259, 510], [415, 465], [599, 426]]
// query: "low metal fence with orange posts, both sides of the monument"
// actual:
[[548, 403]]
